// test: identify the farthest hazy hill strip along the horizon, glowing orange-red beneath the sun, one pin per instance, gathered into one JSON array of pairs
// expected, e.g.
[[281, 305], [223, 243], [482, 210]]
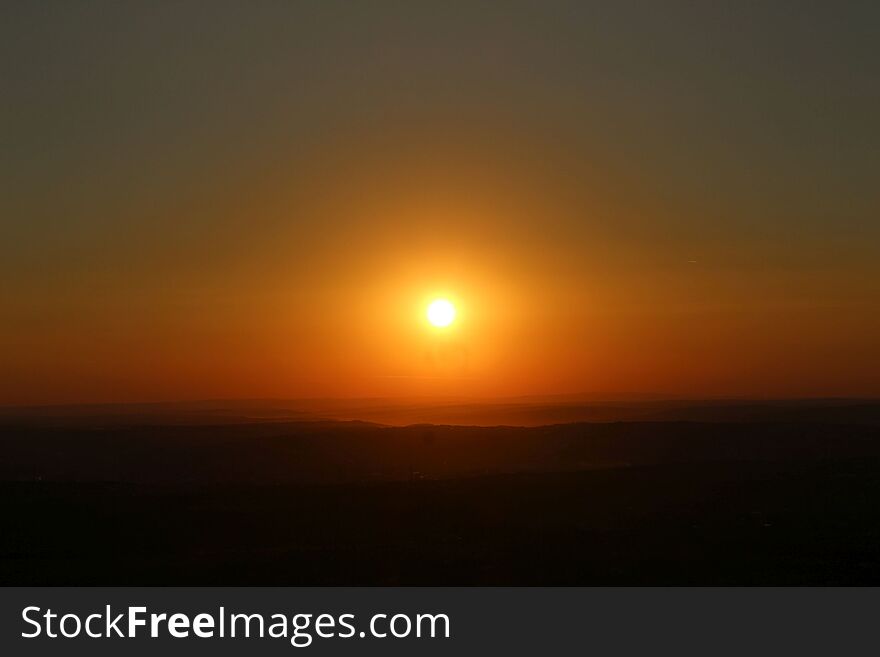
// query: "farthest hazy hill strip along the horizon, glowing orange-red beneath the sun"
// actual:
[[526, 411]]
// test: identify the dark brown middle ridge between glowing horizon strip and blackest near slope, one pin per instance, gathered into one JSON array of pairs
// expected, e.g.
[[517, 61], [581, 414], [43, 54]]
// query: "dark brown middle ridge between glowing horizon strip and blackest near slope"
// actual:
[[332, 452]]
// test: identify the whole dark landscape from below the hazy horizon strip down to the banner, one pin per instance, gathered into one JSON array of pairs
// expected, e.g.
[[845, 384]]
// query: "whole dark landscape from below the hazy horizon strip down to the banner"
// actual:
[[792, 497]]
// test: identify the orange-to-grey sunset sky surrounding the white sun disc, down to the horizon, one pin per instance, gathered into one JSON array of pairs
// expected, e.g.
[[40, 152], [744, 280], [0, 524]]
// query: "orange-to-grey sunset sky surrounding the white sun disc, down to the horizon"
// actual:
[[246, 199]]
